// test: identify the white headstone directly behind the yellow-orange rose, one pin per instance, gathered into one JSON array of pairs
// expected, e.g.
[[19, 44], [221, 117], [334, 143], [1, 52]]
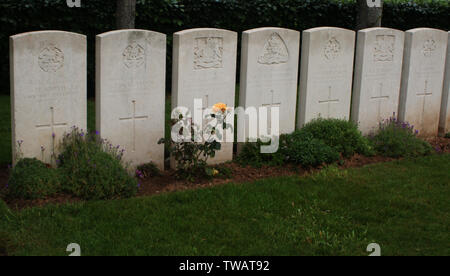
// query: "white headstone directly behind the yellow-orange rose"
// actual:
[[204, 67]]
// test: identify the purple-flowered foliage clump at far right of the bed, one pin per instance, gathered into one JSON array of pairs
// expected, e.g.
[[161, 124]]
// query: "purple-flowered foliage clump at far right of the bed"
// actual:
[[399, 139]]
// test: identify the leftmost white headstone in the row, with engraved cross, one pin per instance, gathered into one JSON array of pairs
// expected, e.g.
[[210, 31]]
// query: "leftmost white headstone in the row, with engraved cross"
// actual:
[[48, 90]]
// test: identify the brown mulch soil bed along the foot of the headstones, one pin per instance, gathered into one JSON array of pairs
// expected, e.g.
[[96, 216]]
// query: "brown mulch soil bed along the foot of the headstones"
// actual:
[[167, 182]]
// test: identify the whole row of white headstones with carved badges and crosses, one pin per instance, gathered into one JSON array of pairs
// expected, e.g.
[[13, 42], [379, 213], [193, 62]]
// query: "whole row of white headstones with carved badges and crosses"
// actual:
[[48, 81]]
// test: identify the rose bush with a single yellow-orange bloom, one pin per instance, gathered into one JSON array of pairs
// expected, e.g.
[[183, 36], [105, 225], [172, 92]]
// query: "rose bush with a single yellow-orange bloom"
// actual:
[[192, 145]]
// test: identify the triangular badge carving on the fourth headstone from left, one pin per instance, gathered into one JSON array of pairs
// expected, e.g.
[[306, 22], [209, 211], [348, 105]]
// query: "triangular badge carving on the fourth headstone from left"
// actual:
[[275, 51]]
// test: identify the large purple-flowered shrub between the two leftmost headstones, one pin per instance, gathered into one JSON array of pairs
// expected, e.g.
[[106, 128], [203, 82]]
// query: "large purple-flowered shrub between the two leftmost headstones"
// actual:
[[93, 168]]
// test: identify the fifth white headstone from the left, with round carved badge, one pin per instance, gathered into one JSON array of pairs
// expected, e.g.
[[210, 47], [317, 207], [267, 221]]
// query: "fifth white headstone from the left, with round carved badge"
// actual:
[[326, 74]]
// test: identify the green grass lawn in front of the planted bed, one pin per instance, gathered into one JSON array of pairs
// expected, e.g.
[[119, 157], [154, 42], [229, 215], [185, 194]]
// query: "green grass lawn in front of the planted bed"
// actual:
[[402, 205]]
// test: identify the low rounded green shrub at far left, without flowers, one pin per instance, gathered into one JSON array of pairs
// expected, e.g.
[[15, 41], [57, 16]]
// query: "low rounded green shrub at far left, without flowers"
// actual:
[[32, 179]]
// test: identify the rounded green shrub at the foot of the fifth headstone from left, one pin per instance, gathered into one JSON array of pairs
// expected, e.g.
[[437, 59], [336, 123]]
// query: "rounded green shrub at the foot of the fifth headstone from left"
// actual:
[[342, 135]]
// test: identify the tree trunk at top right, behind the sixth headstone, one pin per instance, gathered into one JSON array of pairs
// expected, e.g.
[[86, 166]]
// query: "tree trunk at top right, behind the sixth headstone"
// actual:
[[369, 14]]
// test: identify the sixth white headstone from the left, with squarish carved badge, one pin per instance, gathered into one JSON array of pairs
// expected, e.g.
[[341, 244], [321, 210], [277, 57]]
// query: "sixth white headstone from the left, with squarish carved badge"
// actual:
[[376, 84]]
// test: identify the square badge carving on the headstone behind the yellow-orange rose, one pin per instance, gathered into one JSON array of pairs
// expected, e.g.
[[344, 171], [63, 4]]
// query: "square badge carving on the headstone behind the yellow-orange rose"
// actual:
[[208, 53]]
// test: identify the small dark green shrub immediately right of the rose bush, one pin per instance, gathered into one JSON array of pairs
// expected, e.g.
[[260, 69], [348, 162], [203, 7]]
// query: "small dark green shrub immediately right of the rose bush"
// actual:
[[250, 155]]
